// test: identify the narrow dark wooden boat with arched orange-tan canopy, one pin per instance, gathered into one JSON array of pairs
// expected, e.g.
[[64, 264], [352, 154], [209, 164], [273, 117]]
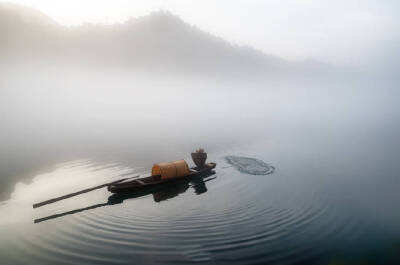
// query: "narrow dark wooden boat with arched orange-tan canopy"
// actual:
[[161, 173]]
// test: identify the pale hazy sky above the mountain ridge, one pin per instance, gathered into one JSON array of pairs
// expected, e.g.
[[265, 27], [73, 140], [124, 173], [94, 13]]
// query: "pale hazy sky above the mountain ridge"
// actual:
[[339, 31]]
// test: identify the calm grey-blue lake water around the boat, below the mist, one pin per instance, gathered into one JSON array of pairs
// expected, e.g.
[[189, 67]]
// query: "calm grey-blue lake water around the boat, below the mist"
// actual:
[[333, 199]]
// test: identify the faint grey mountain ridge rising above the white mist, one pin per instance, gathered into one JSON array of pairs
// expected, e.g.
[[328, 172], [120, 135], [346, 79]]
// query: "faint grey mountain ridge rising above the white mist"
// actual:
[[158, 40]]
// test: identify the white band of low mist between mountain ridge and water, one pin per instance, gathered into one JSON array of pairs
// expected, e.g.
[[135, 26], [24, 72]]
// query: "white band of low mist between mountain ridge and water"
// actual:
[[59, 112]]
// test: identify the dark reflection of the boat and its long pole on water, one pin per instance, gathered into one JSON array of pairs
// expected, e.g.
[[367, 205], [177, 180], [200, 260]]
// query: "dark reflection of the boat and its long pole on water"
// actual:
[[161, 193]]
